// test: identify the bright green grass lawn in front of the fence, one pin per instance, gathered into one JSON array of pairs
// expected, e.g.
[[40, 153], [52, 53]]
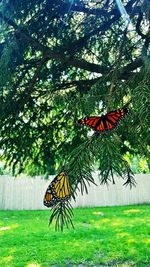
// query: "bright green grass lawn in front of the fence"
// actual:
[[107, 236]]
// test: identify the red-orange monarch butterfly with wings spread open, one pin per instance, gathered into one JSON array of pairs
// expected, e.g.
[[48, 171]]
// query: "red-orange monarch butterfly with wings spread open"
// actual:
[[105, 122]]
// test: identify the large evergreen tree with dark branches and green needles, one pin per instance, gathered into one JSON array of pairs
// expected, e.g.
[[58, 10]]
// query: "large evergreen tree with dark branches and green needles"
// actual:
[[62, 60]]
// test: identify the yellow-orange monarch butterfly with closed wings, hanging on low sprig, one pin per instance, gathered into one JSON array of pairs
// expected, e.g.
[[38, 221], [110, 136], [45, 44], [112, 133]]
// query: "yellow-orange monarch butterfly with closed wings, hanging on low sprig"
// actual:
[[58, 190]]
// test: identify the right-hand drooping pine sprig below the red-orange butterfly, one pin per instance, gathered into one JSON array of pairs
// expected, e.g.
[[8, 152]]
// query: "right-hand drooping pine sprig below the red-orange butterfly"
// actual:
[[111, 162]]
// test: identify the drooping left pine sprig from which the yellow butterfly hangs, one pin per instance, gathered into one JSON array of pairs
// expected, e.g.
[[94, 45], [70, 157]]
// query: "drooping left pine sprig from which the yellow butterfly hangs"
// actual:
[[79, 177]]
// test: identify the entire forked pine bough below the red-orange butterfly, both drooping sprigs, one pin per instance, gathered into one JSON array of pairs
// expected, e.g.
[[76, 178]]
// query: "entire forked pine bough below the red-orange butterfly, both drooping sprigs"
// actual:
[[80, 167]]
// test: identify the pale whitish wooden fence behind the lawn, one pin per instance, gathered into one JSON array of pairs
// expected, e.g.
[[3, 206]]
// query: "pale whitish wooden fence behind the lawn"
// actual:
[[26, 193]]
